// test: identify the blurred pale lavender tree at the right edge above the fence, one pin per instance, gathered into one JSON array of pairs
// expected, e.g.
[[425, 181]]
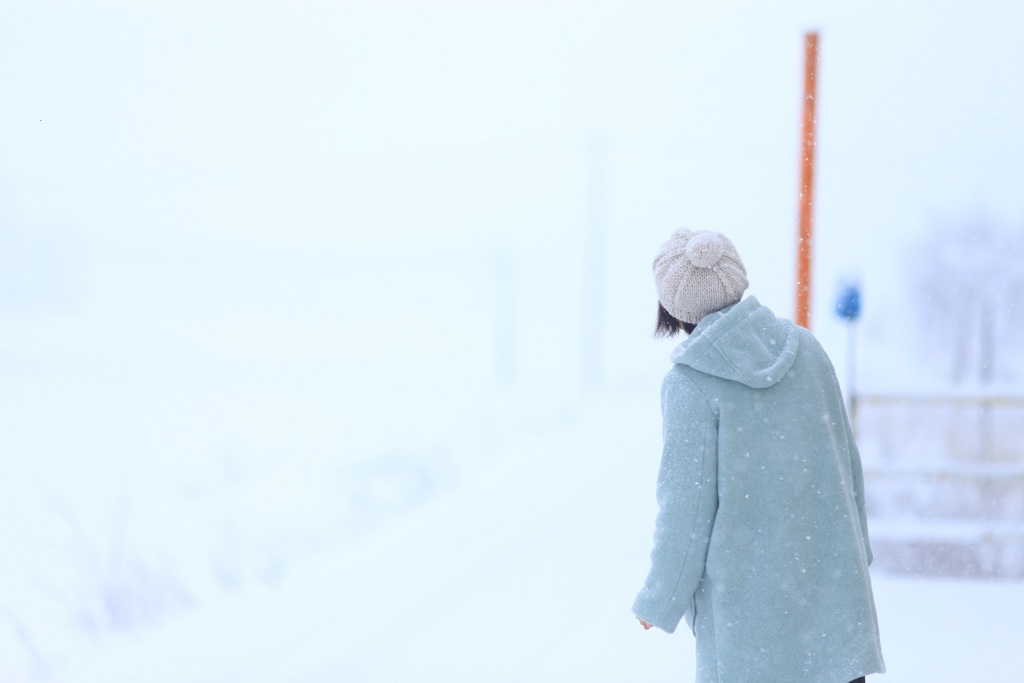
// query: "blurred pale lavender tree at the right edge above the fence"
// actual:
[[969, 281]]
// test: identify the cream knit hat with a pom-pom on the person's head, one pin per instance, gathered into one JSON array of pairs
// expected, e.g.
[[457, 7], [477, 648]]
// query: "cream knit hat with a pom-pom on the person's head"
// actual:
[[698, 274]]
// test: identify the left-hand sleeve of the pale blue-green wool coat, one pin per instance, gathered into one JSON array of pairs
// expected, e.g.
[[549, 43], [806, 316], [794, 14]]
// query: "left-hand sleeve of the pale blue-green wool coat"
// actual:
[[688, 499]]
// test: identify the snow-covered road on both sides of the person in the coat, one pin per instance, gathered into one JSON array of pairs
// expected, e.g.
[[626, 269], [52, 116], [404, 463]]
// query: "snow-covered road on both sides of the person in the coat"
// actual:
[[525, 571]]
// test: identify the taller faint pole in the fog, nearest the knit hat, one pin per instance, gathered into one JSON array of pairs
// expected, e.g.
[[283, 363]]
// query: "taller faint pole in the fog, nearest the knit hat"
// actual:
[[595, 229]]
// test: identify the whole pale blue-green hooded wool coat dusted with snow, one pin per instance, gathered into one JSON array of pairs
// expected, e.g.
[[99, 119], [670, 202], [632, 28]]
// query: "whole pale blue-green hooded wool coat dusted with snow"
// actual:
[[761, 540]]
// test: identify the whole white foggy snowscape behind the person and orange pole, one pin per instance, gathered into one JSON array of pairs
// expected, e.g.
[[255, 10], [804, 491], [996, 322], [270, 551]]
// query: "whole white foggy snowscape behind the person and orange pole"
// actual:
[[323, 326]]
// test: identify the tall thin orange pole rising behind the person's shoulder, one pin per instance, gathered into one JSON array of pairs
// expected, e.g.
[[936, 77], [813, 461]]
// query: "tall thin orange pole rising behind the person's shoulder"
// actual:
[[805, 240]]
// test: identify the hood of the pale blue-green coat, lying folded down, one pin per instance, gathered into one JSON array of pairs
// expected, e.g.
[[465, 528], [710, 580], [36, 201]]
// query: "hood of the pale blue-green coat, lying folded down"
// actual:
[[744, 344]]
